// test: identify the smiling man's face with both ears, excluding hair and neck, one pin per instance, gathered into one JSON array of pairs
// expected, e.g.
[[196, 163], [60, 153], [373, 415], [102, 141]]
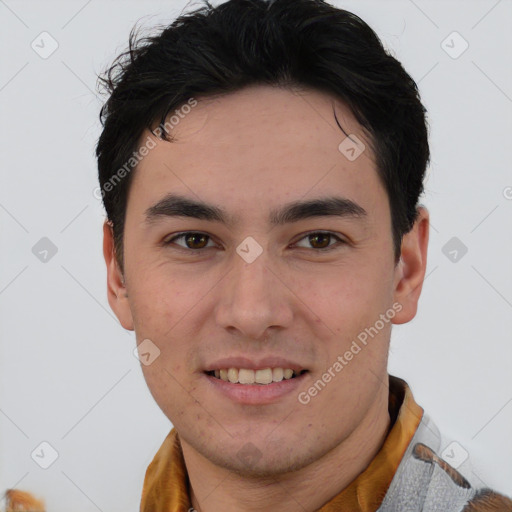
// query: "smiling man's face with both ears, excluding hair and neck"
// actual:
[[259, 280]]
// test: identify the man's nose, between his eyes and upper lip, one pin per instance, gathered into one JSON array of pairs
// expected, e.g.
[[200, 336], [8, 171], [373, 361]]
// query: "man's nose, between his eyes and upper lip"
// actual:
[[253, 300]]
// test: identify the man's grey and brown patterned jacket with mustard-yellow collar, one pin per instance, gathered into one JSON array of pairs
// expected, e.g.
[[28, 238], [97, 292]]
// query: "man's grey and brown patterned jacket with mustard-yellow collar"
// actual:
[[406, 475]]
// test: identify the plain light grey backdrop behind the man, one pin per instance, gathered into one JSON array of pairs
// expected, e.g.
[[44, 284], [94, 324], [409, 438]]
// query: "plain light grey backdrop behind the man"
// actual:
[[67, 370]]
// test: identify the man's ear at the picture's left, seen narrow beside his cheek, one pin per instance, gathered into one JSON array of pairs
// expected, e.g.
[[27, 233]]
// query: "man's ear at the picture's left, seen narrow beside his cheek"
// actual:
[[116, 287]]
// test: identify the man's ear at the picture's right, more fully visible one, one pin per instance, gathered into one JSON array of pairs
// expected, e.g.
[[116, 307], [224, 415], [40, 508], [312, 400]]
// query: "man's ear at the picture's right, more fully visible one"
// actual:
[[410, 270]]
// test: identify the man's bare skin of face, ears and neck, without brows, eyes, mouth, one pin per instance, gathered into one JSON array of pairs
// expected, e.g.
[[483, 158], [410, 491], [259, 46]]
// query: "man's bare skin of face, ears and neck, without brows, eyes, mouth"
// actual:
[[250, 152]]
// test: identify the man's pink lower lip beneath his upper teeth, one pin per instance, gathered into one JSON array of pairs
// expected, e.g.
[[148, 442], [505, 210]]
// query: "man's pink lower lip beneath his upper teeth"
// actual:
[[257, 394]]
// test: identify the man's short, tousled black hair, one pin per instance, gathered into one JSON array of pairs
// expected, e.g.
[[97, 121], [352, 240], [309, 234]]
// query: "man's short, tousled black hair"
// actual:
[[218, 50]]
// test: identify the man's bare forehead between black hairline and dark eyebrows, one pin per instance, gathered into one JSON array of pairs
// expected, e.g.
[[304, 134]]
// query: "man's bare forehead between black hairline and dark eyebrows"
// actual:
[[258, 145]]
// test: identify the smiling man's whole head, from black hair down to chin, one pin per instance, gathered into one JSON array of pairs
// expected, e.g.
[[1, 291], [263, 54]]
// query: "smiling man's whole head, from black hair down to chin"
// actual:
[[261, 165]]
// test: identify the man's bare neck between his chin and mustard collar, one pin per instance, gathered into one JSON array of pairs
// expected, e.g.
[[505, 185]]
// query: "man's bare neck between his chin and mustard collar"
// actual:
[[215, 488]]
